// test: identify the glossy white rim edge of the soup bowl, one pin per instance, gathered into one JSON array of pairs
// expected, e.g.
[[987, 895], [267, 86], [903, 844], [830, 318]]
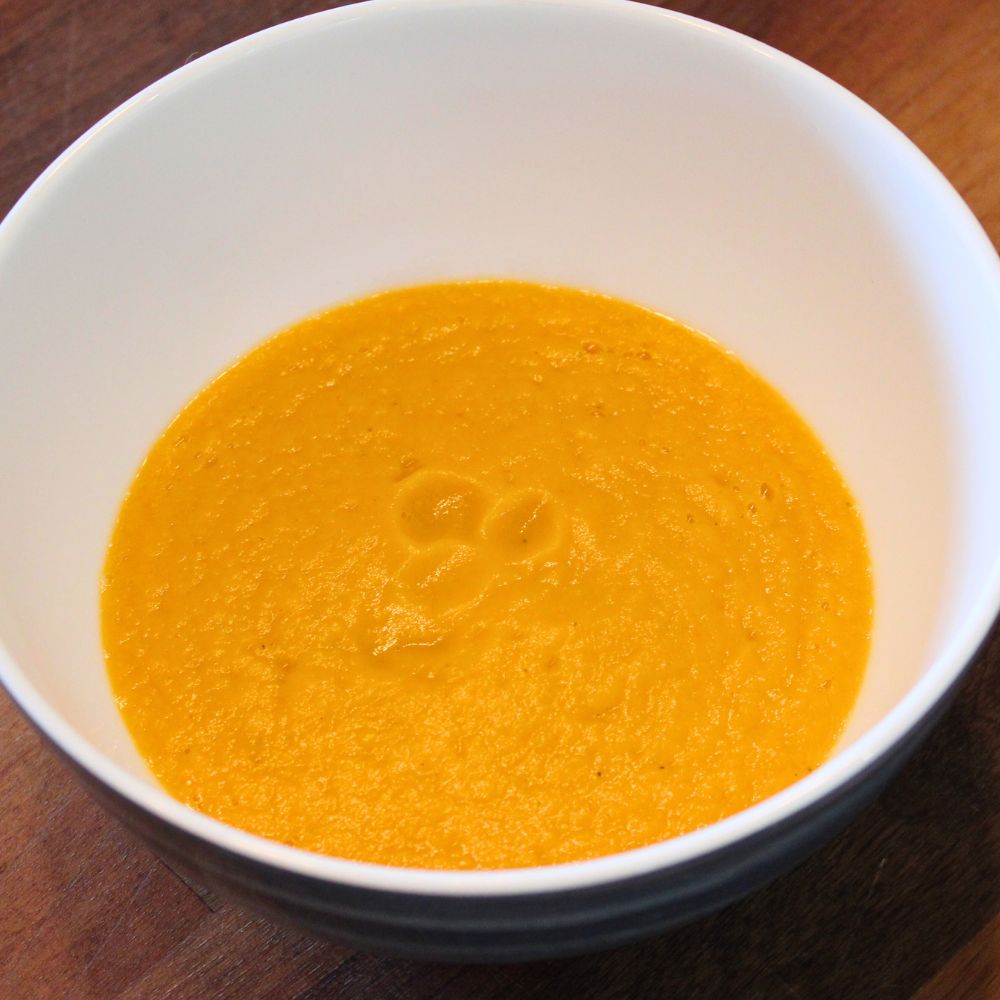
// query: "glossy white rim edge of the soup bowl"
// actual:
[[843, 768]]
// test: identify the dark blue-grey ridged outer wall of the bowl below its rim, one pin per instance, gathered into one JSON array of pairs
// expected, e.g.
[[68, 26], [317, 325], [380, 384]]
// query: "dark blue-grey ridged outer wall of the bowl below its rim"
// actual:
[[514, 928]]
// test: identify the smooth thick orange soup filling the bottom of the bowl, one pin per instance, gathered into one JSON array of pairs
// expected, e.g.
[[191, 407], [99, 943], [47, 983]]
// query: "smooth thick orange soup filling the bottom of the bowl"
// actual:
[[481, 575]]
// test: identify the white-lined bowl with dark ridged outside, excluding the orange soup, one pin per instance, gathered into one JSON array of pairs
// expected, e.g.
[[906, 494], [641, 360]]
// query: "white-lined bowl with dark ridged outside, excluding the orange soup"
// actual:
[[589, 142]]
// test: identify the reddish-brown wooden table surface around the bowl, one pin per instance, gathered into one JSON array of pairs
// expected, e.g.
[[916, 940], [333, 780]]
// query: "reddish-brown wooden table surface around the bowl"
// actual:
[[904, 904]]
